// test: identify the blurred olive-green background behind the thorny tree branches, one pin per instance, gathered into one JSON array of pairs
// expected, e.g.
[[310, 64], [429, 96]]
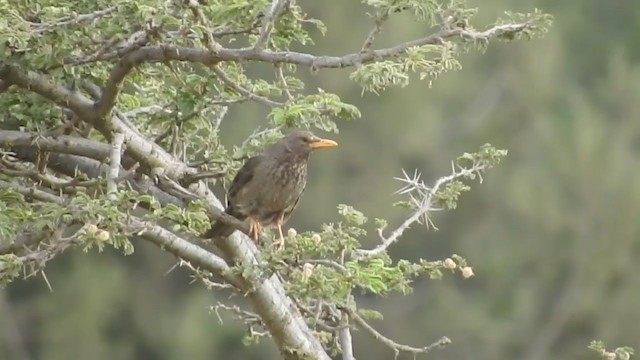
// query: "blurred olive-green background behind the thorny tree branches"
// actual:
[[553, 232]]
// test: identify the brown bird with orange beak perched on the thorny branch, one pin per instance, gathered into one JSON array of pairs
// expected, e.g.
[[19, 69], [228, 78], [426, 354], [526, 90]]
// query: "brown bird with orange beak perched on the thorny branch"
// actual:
[[268, 187]]
